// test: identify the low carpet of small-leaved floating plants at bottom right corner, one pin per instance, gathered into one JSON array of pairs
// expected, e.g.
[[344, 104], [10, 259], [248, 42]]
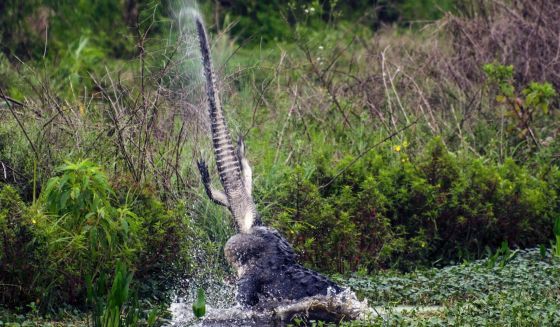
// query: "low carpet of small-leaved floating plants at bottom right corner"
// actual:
[[478, 293]]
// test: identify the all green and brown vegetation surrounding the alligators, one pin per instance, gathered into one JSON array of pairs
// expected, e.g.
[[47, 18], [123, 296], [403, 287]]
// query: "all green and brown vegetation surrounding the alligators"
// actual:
[[394, 143]]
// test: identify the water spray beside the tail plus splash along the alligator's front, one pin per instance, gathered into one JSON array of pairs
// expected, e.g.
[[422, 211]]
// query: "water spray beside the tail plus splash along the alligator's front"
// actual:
[[221, 308]]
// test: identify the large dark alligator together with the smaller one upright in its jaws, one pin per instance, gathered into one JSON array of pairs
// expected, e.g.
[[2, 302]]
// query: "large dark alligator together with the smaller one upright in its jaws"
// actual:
[[266, 264]]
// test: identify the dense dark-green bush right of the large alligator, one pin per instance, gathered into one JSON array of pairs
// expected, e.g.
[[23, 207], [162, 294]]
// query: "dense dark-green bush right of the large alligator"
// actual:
[[392, 210]]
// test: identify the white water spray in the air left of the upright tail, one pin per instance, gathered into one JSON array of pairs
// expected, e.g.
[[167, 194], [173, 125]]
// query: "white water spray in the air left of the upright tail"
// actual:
[[190, 88]]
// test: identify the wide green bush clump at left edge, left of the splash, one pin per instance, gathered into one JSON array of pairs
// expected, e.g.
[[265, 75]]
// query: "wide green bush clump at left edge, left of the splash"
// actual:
[[79, 230]]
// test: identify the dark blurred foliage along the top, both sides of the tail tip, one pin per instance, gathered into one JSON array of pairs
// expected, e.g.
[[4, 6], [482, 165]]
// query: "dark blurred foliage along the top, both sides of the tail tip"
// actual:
[[110, 27]]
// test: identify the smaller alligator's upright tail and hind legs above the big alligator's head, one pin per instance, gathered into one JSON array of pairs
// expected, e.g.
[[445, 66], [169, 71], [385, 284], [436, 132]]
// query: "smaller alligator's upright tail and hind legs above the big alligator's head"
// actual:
[[239, 200]]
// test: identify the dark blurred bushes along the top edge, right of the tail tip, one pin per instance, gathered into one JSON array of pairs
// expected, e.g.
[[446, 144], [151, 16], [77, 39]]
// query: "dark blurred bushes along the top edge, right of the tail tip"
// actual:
[[266, 21]]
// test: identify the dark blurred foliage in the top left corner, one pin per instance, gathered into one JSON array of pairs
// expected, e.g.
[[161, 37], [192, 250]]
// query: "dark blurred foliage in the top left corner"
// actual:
[[36, 28]]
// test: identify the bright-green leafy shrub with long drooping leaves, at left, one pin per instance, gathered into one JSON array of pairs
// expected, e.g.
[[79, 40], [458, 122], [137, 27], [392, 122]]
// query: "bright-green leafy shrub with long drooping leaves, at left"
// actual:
[[83, 221]]
